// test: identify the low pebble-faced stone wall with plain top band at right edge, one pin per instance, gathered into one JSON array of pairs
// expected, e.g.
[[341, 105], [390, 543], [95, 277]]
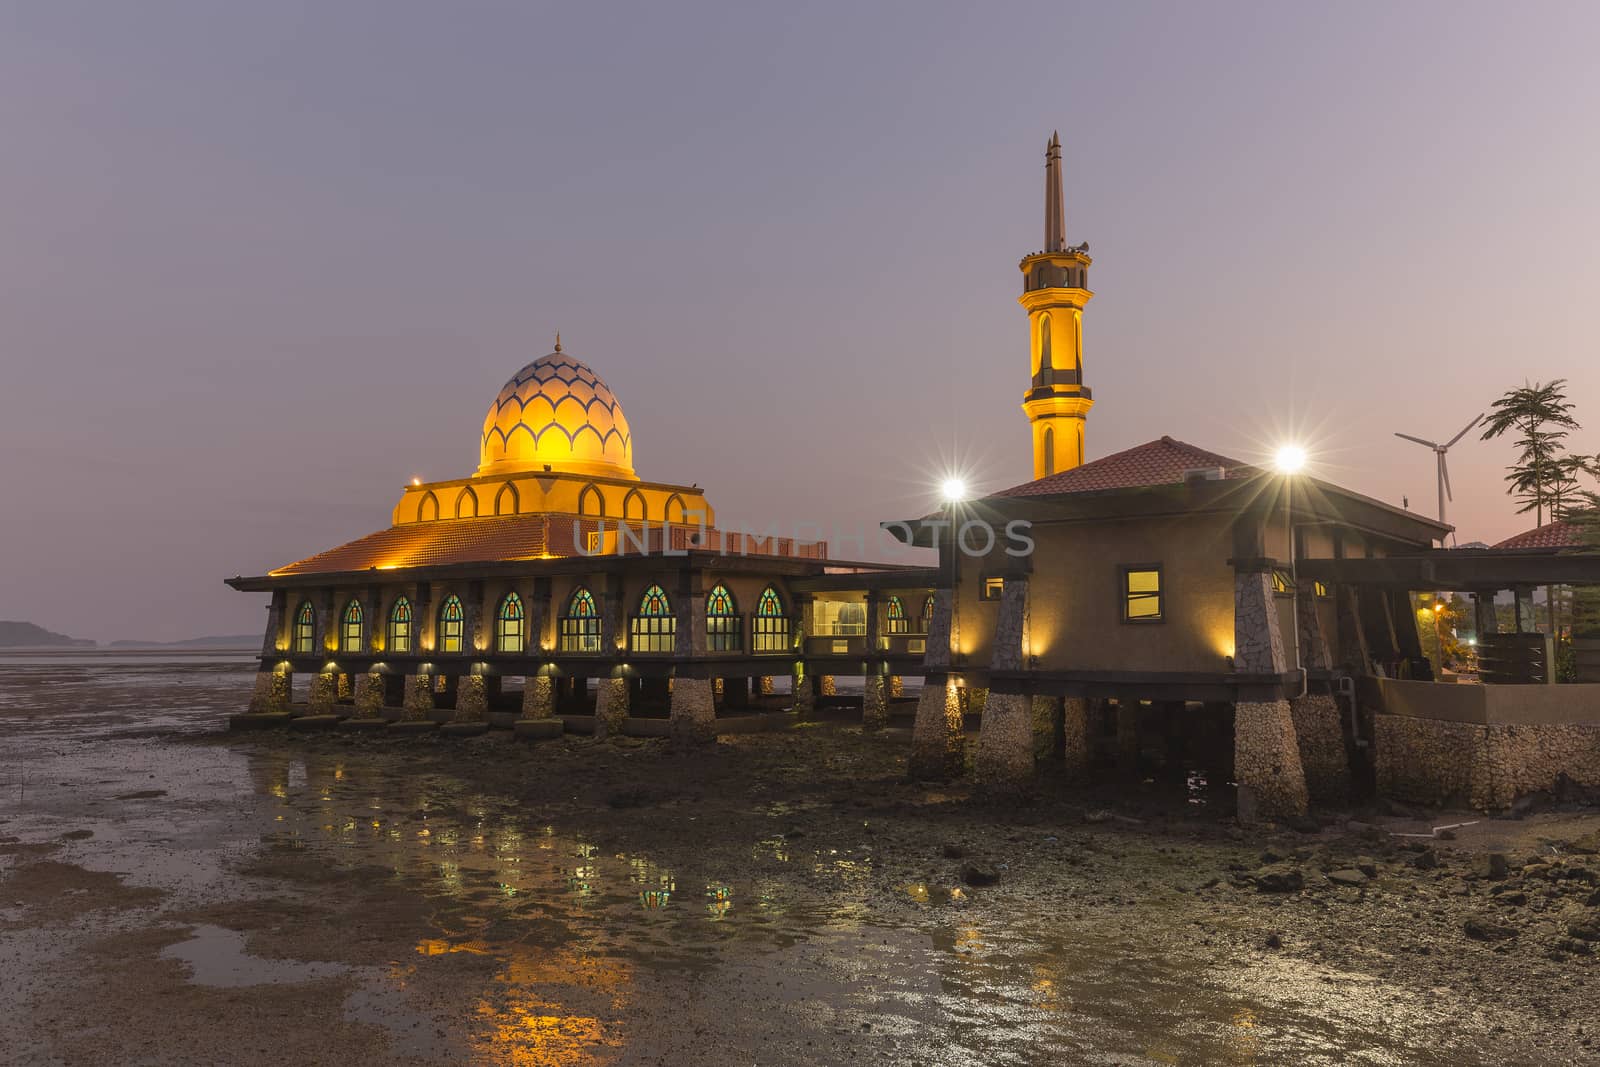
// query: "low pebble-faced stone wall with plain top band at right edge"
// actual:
[[1487, 767]]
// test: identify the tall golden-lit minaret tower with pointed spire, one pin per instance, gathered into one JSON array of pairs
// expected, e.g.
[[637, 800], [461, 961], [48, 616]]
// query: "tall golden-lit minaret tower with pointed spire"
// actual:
[[1055, 290]]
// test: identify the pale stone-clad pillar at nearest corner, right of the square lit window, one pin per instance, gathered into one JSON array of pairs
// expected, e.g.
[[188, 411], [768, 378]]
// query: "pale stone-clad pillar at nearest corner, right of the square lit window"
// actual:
[[1266, 753]]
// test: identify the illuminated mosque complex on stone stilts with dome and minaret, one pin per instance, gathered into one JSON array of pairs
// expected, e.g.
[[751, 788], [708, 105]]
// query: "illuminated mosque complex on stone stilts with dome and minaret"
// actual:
[[1172, 605]]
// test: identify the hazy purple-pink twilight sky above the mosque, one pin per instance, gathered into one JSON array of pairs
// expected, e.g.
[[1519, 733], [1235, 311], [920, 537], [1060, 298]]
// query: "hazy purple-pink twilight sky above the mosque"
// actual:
[[262, 263]]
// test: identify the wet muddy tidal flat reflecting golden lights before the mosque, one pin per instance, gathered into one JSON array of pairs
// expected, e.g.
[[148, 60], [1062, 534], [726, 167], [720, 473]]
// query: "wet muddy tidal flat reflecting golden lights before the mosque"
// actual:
[[170, 893]]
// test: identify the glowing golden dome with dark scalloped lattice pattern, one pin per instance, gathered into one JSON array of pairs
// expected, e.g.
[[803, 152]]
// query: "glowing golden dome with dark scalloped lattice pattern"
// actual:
[[558, 415]]
